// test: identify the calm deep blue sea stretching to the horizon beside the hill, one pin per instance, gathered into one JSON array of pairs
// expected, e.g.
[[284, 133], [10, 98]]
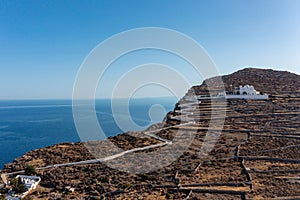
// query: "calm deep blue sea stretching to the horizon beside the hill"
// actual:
[[30, 124]]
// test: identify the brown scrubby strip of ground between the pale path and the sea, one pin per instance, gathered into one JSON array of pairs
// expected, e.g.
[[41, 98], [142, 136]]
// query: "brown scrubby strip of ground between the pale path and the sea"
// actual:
[[75, 152]]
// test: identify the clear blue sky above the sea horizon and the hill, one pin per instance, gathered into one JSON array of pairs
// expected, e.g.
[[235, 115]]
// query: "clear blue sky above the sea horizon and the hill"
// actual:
[[44, 43]]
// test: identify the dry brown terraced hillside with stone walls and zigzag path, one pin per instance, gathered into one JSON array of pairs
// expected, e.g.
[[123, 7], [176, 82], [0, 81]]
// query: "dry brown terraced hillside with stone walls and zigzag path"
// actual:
[[256, 156]]
